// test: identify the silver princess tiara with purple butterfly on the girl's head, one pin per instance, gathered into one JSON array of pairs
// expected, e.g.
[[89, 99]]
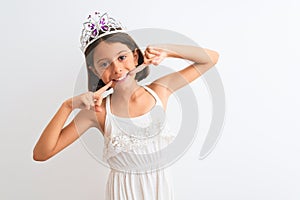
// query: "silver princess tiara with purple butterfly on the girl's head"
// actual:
[[98, 26]]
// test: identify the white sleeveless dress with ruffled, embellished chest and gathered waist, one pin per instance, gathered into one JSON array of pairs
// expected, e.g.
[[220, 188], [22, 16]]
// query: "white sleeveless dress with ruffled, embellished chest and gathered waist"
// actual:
[[132, 150]]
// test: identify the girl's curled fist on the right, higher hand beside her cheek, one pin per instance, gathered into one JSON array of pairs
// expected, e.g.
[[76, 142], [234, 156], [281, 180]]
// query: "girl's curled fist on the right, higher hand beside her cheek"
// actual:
[[154, 55]]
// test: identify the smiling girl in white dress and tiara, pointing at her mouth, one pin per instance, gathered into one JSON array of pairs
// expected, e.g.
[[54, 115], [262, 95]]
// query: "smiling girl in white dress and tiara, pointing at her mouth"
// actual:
[[133, 137]]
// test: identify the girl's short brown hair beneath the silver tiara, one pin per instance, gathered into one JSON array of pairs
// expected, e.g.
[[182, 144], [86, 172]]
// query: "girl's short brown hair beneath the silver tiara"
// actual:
[[94, 83]]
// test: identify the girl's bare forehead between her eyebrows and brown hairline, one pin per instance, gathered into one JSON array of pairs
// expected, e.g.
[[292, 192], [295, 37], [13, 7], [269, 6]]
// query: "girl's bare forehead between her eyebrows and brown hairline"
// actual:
[[109, 50]]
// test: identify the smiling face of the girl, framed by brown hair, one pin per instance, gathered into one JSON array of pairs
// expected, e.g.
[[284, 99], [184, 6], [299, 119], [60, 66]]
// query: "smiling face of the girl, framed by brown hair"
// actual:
[[113, 61]]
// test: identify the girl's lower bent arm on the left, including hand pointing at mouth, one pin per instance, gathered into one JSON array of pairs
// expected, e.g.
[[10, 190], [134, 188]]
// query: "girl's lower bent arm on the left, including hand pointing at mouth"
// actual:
[[56, 137]]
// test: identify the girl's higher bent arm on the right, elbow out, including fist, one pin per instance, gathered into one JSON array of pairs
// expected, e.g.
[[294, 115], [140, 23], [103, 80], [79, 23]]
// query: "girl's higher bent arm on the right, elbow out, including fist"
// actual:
[[203, 60]]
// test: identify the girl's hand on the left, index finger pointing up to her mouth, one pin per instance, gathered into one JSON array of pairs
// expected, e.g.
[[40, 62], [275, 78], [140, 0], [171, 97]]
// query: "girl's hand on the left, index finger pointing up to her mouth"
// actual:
[[89, 100]]
